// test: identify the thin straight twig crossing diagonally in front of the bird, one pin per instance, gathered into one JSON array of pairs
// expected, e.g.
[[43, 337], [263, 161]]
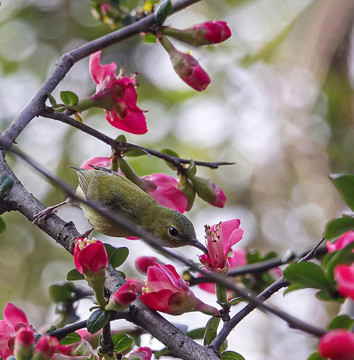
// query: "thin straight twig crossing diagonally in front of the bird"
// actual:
[[152, 241]]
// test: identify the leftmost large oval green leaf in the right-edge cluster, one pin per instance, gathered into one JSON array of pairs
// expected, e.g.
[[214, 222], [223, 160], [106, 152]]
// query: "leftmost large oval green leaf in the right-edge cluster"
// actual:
[[306, 274]]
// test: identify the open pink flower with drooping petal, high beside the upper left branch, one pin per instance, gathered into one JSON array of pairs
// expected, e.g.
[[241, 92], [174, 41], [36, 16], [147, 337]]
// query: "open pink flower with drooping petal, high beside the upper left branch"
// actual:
[[117, 96]]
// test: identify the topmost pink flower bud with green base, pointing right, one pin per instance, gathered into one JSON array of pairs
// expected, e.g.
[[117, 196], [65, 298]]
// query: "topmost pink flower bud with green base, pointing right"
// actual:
[[209, 32]]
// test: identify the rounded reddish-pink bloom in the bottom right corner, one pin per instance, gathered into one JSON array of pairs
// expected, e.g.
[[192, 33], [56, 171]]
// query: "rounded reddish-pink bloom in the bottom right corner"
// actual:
[[337, 345]]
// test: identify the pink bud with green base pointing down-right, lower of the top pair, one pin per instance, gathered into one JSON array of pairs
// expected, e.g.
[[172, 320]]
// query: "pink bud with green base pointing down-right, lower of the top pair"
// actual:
[[186, 67]]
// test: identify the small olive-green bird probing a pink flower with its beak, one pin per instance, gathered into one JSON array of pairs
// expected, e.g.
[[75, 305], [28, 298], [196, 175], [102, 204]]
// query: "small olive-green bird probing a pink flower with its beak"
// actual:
[[114, 192]]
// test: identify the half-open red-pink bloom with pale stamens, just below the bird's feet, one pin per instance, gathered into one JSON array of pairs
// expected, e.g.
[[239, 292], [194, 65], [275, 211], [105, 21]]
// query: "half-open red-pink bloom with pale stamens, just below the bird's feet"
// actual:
[[90, 255]]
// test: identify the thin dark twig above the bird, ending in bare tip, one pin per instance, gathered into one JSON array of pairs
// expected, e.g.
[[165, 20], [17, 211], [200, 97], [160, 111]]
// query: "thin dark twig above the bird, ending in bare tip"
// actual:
[[118, 145]]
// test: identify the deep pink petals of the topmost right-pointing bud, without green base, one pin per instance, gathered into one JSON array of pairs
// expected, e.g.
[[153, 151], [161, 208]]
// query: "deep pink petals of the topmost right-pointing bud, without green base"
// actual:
[[214, 31]]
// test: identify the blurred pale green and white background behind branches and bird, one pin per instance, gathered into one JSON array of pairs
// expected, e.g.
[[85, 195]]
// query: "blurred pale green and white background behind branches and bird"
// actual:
[[280, 106]]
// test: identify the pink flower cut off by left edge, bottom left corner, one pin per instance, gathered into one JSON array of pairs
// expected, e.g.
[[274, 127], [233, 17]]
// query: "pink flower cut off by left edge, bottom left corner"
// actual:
[[14, 320]]
